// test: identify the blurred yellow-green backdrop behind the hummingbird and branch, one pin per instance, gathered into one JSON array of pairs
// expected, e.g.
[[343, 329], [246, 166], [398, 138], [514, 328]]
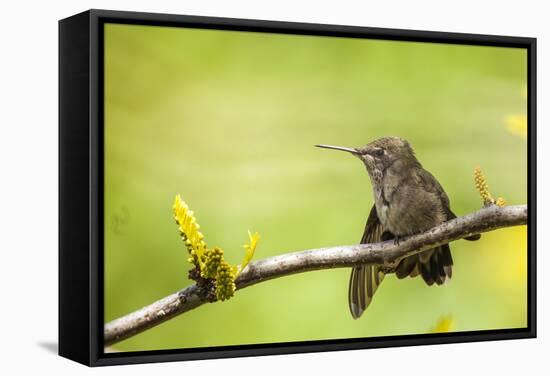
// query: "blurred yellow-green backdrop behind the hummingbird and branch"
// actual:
[[229, 119]]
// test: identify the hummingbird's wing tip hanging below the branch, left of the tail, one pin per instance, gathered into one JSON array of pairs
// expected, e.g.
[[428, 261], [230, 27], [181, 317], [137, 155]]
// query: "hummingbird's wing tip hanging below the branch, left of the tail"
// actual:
[[363, 283]]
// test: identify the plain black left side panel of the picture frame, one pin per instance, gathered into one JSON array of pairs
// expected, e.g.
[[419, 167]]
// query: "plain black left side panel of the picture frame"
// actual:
[[74, 251]]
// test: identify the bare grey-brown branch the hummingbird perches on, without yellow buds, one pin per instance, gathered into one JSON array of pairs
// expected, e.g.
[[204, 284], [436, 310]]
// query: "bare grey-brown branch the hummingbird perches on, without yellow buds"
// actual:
[[386, 253]]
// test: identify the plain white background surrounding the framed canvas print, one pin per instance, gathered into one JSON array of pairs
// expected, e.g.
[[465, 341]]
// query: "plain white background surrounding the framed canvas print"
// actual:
[[28, 198]]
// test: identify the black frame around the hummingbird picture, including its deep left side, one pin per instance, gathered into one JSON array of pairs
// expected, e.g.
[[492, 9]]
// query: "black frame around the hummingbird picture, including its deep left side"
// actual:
[[81, 181]]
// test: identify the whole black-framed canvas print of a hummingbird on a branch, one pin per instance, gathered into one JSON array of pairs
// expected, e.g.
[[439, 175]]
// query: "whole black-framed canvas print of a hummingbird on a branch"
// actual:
[[382, 182]]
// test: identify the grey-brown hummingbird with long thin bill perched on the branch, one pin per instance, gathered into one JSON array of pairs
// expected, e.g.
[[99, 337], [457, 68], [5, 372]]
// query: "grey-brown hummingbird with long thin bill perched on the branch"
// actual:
[[407, 200]]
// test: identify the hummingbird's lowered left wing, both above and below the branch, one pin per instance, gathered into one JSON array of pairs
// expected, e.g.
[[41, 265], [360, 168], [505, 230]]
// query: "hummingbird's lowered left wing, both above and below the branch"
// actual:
[[365, 279]]
